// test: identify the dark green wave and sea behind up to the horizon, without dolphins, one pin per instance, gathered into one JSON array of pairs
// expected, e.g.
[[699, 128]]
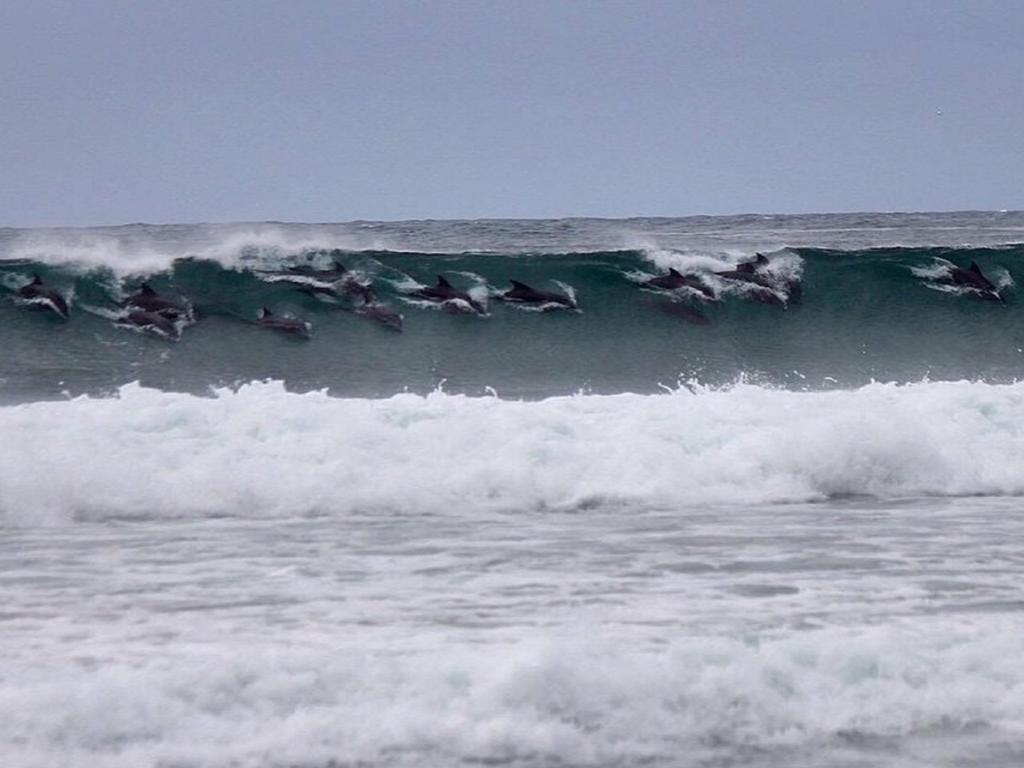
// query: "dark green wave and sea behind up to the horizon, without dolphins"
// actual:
[[873, 306]]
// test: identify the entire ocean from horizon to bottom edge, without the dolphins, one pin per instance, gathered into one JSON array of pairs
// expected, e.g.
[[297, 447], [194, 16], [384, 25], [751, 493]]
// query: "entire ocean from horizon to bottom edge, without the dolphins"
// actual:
[[778, 528]]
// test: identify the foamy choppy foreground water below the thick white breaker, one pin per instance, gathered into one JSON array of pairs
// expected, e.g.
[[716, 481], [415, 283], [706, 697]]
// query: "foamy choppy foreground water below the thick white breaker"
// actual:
[[854, 633]]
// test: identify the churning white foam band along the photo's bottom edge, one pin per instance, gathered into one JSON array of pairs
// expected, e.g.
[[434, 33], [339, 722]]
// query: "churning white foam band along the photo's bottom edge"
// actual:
[[573, 700]]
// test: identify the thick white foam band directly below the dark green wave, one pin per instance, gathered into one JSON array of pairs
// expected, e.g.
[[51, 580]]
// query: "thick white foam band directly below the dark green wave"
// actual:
[[264, 452]]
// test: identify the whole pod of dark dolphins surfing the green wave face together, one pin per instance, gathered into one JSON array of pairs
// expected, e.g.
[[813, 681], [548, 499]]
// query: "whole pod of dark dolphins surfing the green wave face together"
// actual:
[[149, 311]]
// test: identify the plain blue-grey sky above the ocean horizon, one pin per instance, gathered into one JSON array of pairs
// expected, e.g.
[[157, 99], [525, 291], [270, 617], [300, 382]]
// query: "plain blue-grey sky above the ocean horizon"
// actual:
[[117, 112]]
